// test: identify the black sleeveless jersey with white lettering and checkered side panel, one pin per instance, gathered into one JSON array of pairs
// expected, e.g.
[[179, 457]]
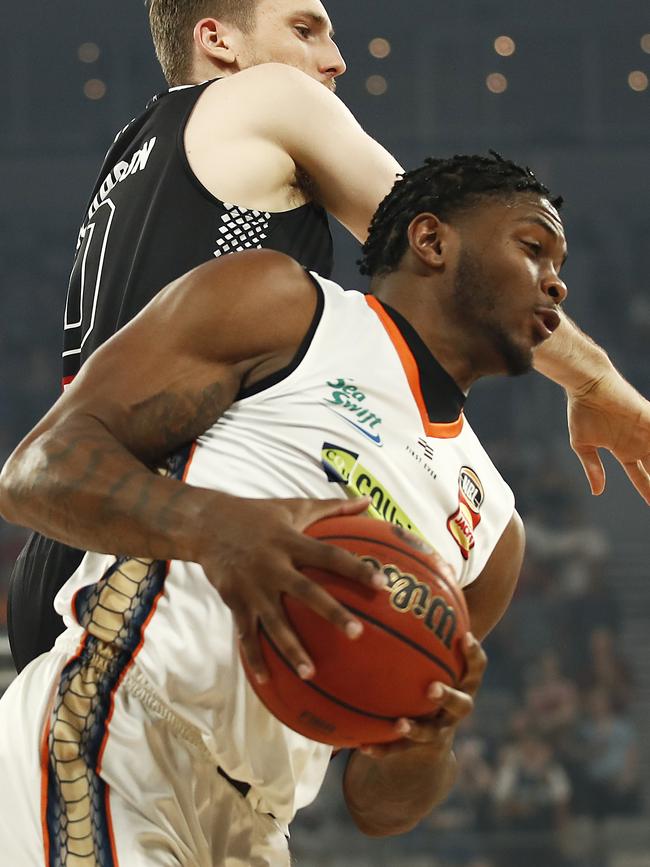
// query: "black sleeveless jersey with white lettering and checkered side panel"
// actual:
[[149, 220]]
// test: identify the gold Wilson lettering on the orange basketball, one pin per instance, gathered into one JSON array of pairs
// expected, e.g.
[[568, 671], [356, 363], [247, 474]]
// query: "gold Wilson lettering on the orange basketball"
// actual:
[[410, 596]]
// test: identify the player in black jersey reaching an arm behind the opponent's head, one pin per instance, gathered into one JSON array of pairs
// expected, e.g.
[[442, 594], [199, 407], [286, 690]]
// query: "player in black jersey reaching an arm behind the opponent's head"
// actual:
[[250, 160]]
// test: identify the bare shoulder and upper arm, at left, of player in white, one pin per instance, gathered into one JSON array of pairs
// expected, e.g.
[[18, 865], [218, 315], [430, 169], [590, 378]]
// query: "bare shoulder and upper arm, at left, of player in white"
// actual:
[[169, 374]]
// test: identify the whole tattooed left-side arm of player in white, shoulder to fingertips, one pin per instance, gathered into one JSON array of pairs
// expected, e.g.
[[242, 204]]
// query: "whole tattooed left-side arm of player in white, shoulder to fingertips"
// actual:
[[83, 474]]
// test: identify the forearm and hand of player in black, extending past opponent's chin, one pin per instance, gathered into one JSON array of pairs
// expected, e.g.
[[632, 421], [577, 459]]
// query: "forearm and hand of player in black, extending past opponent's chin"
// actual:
[[604, 410]]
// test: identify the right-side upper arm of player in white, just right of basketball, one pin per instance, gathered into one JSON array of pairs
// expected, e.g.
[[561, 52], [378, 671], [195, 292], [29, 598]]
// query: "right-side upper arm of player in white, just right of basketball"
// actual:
[[490, 595]]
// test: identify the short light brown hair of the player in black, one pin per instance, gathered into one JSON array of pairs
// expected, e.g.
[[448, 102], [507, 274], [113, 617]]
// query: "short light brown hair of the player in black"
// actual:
[[172, 24]]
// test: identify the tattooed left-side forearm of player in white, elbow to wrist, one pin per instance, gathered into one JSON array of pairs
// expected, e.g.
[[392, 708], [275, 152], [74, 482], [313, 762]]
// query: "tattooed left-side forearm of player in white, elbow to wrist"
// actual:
[[82, 487]]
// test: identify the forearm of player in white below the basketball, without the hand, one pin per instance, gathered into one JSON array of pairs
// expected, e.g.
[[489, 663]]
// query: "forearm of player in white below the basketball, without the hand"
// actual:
[[391, 795]]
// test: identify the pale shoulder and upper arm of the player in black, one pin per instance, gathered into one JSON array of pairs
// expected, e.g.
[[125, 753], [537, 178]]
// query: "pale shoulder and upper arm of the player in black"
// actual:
[[278, 119]]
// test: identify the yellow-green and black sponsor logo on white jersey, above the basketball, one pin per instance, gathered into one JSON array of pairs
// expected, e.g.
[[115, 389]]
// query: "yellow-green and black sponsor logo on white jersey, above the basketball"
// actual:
[[343, 467]]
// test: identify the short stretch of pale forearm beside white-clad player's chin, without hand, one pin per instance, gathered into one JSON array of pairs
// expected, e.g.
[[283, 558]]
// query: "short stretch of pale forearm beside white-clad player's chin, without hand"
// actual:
[[571, 358]]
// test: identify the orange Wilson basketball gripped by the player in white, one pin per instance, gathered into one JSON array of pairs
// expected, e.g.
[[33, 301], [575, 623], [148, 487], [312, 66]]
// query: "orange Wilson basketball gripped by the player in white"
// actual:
[[412, 636]]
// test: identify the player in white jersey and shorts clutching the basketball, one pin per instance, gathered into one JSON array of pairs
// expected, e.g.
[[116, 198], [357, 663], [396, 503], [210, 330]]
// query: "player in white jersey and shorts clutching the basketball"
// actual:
[[137, 739]]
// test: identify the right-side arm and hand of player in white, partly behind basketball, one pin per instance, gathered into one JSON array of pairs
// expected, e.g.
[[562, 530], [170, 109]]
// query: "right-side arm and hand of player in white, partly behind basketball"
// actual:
[[390, 788]]
